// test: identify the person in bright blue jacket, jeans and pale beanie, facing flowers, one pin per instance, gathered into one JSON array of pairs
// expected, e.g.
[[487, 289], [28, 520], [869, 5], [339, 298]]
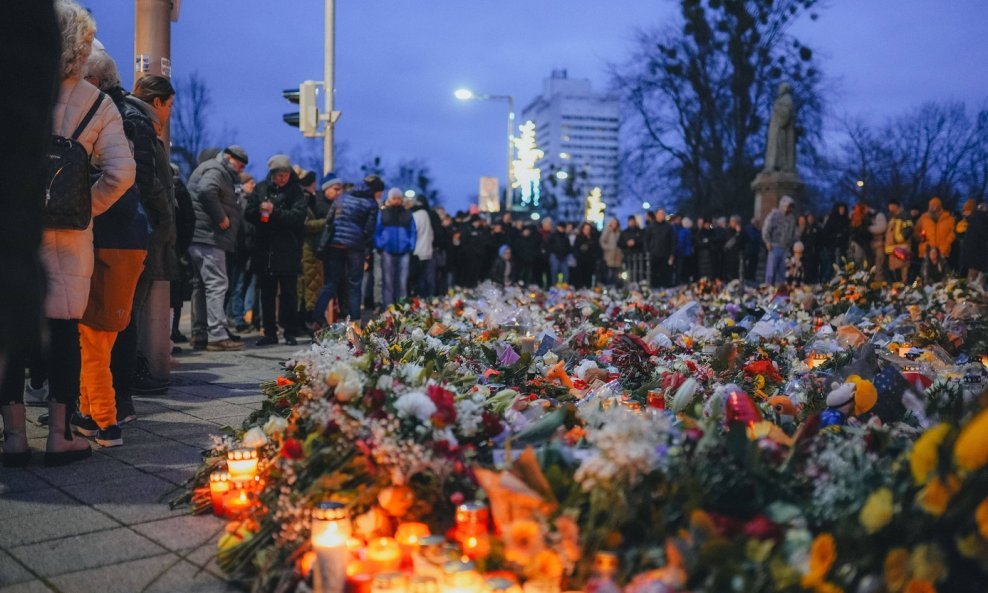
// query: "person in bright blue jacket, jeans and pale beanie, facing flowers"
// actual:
[[395, 239]]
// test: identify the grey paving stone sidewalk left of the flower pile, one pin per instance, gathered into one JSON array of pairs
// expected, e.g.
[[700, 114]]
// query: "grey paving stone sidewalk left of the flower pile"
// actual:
[[104, 525]]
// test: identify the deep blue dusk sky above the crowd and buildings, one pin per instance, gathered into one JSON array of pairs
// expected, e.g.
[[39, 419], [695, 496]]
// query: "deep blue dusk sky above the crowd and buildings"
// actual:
[[398, 62]]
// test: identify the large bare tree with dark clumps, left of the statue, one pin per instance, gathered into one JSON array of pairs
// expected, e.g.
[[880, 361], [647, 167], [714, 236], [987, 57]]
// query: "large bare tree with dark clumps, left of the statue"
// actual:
[[698, 96]]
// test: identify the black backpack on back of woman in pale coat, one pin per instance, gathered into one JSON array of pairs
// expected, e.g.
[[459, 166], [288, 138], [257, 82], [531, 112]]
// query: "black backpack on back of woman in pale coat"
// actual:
[[68, 201]]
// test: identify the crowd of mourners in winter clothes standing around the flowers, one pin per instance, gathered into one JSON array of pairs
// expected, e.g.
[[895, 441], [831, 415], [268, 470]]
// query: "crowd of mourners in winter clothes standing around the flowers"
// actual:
[[286, 257]]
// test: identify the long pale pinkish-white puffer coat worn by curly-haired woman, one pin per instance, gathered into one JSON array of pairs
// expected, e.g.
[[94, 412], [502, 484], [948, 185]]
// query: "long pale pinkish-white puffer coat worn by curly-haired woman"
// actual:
[[68, 255]]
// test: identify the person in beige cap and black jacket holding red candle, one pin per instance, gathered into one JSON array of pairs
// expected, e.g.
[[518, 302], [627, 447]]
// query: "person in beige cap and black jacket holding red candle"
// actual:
[[277, 210]]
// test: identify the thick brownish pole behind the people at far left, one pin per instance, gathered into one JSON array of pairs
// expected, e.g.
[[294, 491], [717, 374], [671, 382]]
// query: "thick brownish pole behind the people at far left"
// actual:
[[152, 55]]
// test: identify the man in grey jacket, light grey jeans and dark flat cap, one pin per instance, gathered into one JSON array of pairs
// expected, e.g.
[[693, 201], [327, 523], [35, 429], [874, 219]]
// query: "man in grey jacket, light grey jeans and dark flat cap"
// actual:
[[213, 186]]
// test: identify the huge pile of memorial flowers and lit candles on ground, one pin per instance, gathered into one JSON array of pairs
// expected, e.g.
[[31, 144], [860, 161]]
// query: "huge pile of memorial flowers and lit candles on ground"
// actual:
[[713, 438]]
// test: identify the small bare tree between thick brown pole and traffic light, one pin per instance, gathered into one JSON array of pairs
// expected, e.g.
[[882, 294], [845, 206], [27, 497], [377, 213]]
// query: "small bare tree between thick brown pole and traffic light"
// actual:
[[191, 119]]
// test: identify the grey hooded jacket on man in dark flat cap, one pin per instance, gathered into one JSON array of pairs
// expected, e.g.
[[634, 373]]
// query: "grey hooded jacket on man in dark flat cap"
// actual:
[[214, 197]]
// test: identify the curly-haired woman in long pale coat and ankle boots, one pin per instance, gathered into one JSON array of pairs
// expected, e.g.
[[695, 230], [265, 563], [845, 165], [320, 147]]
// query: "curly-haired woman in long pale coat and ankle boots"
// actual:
[[68, 254]]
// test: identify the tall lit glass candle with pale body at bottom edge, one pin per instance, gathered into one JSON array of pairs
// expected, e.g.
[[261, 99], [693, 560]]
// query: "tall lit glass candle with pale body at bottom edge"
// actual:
[[330, 532]]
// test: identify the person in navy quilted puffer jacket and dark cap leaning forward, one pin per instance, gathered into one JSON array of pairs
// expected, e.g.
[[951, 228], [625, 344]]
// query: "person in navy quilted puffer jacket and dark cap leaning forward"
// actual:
[[354, 217]]
